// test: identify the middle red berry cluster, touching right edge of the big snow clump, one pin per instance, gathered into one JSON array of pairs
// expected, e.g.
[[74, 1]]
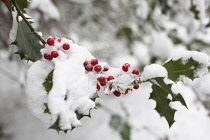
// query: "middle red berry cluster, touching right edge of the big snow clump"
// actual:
[[93, 65]]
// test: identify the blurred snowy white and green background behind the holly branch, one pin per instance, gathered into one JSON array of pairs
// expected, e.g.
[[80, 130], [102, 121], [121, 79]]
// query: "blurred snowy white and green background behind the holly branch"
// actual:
[[140, 32]]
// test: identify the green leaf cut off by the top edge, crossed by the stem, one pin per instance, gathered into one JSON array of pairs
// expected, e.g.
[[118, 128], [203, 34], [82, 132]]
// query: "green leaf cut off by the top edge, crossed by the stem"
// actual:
[[22, 4]]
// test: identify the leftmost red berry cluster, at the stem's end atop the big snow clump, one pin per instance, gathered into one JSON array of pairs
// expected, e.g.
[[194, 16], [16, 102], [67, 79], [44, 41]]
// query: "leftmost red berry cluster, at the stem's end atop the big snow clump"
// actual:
[[55, 54]]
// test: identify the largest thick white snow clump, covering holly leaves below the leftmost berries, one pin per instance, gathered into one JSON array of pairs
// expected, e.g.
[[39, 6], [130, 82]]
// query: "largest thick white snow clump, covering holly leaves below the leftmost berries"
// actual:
[[68, 75]]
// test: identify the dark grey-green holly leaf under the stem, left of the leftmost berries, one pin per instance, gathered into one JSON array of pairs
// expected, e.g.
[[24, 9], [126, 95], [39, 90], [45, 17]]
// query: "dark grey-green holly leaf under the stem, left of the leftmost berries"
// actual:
[[27, 43]]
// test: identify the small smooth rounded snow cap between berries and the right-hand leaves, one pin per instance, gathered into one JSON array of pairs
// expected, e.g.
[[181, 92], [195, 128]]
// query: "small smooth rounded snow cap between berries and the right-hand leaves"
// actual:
[[153, 71]]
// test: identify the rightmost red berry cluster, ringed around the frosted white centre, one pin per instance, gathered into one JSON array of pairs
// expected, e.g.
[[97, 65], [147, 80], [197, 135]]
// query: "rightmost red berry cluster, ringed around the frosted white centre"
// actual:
[[102, 81]]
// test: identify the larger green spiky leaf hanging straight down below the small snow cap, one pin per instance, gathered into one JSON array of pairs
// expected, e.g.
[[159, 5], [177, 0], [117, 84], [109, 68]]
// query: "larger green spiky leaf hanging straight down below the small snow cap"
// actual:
[[162, 104]]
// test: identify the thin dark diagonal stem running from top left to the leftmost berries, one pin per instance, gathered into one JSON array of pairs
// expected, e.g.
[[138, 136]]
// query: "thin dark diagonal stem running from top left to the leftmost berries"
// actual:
[[28, 23]]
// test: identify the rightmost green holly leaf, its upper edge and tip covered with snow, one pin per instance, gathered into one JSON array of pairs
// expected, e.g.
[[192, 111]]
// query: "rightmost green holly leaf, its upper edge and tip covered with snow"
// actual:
[[176, 68]]
